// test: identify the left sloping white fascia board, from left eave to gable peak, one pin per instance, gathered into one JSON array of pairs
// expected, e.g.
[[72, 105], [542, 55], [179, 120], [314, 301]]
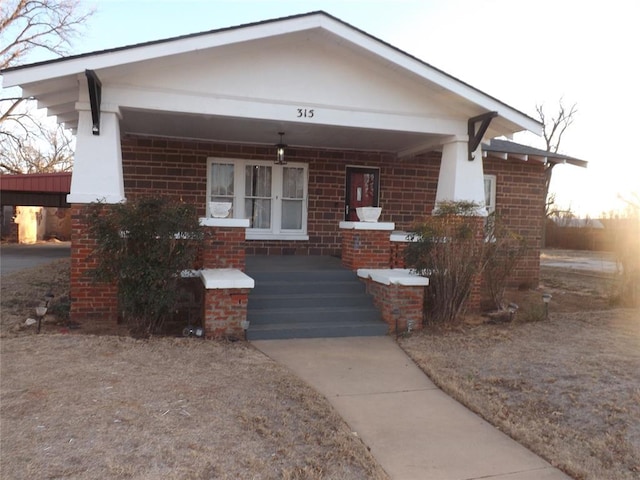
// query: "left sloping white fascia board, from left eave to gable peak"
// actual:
[[126, 55]]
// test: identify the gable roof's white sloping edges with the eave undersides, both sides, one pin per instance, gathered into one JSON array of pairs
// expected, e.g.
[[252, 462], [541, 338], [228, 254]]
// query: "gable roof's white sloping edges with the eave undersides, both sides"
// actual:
[[54, 82]]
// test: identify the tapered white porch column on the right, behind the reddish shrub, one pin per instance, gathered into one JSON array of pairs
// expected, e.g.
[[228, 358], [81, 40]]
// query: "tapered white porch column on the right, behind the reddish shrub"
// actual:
[[461, 179]]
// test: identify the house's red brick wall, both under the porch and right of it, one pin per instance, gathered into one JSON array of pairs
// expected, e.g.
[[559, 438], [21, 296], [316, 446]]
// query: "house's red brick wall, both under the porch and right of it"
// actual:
[[407, 189]]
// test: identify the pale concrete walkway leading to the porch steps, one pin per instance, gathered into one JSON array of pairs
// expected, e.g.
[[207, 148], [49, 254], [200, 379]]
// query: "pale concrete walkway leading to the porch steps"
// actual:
[[414, 430]]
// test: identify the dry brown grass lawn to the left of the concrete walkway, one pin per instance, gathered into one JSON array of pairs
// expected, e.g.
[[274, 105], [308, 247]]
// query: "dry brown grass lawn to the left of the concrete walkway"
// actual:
[[79, 406]]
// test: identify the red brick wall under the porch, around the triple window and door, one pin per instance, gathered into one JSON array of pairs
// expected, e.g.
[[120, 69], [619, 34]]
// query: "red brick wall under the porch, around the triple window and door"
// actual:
[[179, 168]]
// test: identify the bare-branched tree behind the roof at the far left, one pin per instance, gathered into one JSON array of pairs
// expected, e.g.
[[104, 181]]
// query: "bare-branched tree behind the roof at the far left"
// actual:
[[27, 26]]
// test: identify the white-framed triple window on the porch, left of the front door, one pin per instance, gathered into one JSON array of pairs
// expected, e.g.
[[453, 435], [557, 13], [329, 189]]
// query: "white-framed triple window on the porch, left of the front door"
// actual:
[[273, 197]]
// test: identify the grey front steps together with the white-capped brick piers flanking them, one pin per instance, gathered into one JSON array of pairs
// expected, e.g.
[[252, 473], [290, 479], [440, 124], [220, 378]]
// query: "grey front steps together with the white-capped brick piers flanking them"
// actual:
[[303, 296]]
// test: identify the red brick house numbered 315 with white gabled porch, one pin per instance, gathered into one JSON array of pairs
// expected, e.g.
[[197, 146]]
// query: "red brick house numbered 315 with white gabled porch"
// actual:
[[296, 122]]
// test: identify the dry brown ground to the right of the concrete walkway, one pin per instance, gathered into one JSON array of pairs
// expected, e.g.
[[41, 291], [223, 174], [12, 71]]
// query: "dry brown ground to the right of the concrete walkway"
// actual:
[[567, 387]]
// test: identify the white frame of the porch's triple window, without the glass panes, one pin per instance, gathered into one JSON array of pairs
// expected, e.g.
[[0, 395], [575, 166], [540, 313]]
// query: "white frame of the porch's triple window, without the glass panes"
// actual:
[[275, 232]]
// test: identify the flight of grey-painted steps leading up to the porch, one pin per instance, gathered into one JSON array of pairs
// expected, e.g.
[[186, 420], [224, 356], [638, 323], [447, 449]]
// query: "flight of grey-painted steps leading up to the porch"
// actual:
[[308, 297]]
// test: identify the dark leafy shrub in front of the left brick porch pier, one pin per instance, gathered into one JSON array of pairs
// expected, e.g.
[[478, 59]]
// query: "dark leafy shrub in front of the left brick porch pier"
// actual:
[[143, 246]]
